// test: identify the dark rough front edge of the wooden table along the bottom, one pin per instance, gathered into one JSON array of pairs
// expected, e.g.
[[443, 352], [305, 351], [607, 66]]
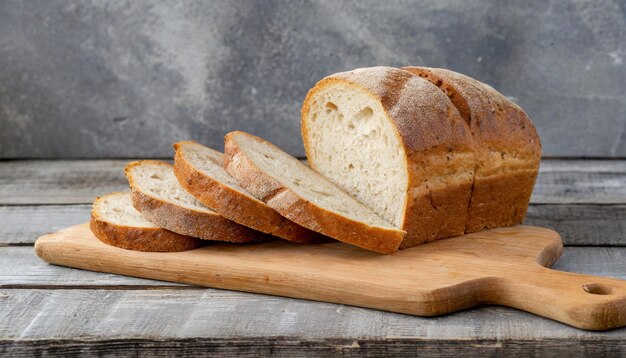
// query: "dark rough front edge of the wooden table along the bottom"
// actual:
[[306, 347]]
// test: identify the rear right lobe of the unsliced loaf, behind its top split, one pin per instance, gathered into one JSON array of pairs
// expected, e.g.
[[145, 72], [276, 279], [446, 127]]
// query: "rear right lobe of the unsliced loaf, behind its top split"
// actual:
[[508, 149]]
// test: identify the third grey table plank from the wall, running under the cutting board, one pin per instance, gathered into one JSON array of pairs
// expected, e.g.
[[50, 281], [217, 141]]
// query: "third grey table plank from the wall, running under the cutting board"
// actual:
[[19, 266]]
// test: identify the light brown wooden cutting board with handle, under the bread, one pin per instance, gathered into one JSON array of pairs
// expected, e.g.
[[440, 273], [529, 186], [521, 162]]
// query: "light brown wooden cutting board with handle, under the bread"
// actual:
[[503, 266]]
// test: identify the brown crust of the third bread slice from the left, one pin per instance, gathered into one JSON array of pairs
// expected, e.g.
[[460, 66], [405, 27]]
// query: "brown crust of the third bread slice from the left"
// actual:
[[234, 205]]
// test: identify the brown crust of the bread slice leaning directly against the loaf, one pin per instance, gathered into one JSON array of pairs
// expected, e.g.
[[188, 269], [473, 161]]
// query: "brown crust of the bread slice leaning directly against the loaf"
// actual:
[[288, 203]]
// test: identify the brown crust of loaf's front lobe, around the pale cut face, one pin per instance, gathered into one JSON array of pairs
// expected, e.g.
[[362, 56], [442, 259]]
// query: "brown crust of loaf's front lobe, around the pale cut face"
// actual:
[[438, 146]]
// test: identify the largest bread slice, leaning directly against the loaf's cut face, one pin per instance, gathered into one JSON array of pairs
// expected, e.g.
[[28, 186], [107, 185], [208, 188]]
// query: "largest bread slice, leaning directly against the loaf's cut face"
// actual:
[[304, 196]]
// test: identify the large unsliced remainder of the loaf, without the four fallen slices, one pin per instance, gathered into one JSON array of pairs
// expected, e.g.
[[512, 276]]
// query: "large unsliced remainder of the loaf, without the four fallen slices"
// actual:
[[400, 145]]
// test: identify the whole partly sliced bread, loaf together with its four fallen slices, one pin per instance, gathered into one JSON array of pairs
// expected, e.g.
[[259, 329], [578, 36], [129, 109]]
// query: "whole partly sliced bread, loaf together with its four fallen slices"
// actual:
[[396, 158]]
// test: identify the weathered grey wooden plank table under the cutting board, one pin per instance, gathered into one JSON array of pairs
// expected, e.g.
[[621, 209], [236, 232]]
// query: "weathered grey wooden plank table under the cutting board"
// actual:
[[60, 311]]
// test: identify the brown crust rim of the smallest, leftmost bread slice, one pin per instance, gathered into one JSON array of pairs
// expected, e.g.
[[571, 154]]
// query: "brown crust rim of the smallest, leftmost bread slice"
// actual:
[[151, 239]]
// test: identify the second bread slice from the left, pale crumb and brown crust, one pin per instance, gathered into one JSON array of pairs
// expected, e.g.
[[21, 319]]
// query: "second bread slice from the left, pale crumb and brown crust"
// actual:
[[159, 197]]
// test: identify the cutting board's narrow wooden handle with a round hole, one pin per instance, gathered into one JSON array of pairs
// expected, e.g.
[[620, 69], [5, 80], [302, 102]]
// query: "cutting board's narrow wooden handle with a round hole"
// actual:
[[584, 301]]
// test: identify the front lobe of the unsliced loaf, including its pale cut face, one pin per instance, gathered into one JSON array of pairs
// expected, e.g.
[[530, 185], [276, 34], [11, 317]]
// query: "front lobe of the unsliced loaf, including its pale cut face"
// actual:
[[395, 142]]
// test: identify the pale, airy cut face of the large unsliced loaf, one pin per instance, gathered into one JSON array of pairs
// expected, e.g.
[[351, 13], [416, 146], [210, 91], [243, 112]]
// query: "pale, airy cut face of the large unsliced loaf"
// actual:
[[350, 141]]
